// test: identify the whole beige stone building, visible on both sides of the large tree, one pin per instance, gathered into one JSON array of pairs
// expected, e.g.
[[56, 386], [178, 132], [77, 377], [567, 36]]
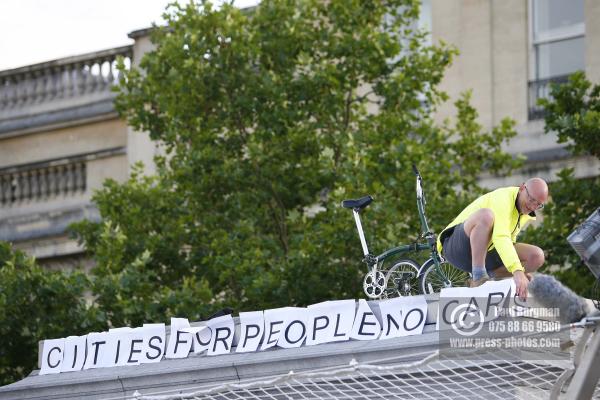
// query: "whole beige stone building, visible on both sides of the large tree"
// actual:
[[60, 136]]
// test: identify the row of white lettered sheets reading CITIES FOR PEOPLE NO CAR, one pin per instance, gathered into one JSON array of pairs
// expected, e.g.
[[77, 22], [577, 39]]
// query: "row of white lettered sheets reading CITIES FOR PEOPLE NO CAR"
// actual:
[[287, 327]]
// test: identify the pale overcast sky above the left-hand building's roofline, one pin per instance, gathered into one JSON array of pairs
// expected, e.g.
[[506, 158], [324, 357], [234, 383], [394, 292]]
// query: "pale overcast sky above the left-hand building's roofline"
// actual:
[[33, 31]]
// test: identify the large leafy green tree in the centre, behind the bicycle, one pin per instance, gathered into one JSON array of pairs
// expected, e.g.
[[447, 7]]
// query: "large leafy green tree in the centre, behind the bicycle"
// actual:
[[269, 119]]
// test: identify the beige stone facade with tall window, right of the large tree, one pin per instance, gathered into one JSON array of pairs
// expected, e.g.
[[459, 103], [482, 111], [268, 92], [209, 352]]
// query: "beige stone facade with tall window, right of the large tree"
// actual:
[[510, 51]]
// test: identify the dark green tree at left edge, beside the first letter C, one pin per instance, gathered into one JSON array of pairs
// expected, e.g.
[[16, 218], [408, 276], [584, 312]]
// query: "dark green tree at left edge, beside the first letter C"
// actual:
[[37, 304]]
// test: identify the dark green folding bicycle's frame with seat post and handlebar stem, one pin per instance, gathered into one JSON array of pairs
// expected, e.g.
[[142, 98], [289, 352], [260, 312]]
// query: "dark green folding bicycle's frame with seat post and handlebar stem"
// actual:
[[373, 262]]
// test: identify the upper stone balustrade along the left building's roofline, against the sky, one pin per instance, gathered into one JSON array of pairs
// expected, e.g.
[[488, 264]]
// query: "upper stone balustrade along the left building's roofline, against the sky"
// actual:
[[65, 82]]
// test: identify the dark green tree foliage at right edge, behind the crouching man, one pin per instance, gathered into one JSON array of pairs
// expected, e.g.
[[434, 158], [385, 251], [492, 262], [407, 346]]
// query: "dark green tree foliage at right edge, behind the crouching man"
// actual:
[[573, 112]]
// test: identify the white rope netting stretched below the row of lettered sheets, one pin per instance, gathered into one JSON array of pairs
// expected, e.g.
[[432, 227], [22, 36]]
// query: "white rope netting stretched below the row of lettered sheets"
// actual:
[[436, 375]]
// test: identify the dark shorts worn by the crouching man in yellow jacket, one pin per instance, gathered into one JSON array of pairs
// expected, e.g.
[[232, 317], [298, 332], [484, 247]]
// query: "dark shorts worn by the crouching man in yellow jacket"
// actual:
[[457, 250]]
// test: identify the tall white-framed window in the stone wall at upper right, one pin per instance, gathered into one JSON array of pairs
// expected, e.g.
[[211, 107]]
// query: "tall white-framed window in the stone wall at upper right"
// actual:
[[557, 37]]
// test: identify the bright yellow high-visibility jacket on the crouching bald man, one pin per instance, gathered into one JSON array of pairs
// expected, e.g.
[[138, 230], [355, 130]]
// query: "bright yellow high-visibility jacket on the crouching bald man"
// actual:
[[507, 223]]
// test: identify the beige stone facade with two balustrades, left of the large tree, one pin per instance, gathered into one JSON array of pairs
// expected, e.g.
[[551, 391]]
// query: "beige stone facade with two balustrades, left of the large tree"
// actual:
[[60, 138]]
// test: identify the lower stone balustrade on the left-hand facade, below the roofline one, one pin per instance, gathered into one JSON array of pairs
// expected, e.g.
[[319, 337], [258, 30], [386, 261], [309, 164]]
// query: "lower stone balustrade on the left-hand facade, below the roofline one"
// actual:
[[39, 184]]
